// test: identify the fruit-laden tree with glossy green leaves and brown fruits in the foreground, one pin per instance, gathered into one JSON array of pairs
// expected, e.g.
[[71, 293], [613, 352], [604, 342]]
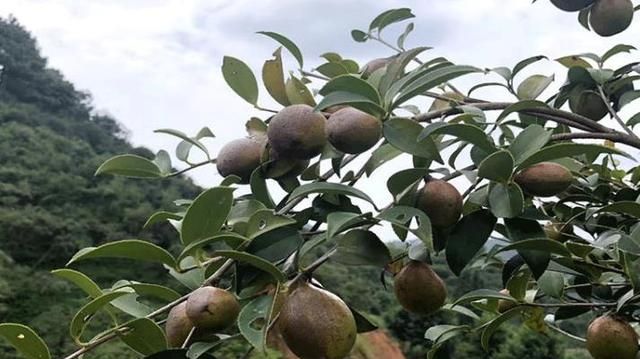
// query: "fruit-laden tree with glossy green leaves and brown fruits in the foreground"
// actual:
[[546, 191]]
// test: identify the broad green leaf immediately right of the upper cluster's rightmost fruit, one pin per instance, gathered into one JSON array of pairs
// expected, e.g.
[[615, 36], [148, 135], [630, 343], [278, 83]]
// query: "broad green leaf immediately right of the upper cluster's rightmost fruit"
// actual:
[[403, 134]]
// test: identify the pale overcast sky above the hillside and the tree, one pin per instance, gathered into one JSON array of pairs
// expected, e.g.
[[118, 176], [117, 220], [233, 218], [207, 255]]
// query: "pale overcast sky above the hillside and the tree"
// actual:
[[156, 63]]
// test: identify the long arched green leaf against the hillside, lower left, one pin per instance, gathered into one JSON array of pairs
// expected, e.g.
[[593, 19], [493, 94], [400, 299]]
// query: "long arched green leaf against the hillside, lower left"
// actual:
[[128, 249]]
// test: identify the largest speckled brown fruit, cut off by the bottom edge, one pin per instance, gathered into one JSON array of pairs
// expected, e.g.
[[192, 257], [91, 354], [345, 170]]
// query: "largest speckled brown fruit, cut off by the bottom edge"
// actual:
[[316, 324]]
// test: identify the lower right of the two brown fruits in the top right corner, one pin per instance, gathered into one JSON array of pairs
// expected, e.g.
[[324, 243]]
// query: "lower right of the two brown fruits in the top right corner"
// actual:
[[610, 17]]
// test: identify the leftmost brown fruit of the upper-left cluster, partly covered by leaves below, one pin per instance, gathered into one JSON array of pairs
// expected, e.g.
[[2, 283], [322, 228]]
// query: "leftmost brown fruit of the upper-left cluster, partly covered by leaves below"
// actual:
[[239, 157]]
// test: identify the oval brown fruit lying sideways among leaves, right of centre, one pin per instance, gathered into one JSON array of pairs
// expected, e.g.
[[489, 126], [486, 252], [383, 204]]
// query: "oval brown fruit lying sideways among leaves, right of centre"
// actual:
[[544, 179]]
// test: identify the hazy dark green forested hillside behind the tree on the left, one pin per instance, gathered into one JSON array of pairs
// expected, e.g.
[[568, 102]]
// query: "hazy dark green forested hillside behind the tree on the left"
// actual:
[[51, 143]]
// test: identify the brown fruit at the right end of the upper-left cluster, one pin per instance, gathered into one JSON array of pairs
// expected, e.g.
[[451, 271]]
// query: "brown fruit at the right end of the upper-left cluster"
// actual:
[[353, 131]]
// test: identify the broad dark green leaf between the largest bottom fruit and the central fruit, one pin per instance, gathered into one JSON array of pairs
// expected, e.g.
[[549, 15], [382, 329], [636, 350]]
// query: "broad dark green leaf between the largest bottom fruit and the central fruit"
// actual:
[[361, 247]]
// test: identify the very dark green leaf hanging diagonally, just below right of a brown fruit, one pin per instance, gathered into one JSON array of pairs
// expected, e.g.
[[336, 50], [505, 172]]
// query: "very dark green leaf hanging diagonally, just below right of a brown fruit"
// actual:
[[468, 236]]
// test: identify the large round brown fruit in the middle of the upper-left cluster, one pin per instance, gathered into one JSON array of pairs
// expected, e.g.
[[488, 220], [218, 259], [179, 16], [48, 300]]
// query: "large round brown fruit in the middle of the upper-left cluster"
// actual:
[[297, 132]]
